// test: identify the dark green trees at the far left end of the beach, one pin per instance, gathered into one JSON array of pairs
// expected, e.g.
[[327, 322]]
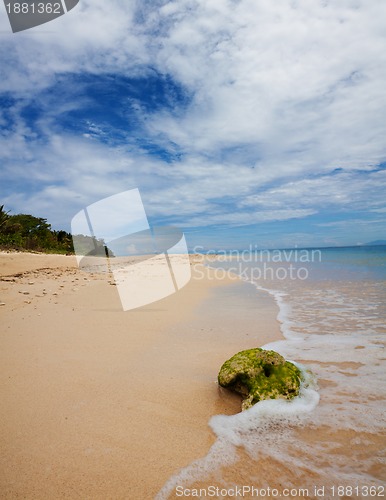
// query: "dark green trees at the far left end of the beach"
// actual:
[[26, 232]]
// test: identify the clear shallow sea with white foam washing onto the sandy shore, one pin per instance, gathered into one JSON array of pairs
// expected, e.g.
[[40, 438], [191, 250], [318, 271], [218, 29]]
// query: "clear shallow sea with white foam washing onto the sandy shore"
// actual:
[[329, 441]]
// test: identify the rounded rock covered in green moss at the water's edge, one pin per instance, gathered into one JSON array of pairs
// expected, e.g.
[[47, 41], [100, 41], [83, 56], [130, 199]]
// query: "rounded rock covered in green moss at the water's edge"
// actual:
[[258, 374]]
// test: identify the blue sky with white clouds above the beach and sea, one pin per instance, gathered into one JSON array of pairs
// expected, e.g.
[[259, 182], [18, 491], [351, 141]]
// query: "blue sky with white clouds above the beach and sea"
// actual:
[[243, 122]]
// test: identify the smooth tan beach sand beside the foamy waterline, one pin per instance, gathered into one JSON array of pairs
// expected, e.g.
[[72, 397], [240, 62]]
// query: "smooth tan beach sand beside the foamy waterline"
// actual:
[[98, 403]]
